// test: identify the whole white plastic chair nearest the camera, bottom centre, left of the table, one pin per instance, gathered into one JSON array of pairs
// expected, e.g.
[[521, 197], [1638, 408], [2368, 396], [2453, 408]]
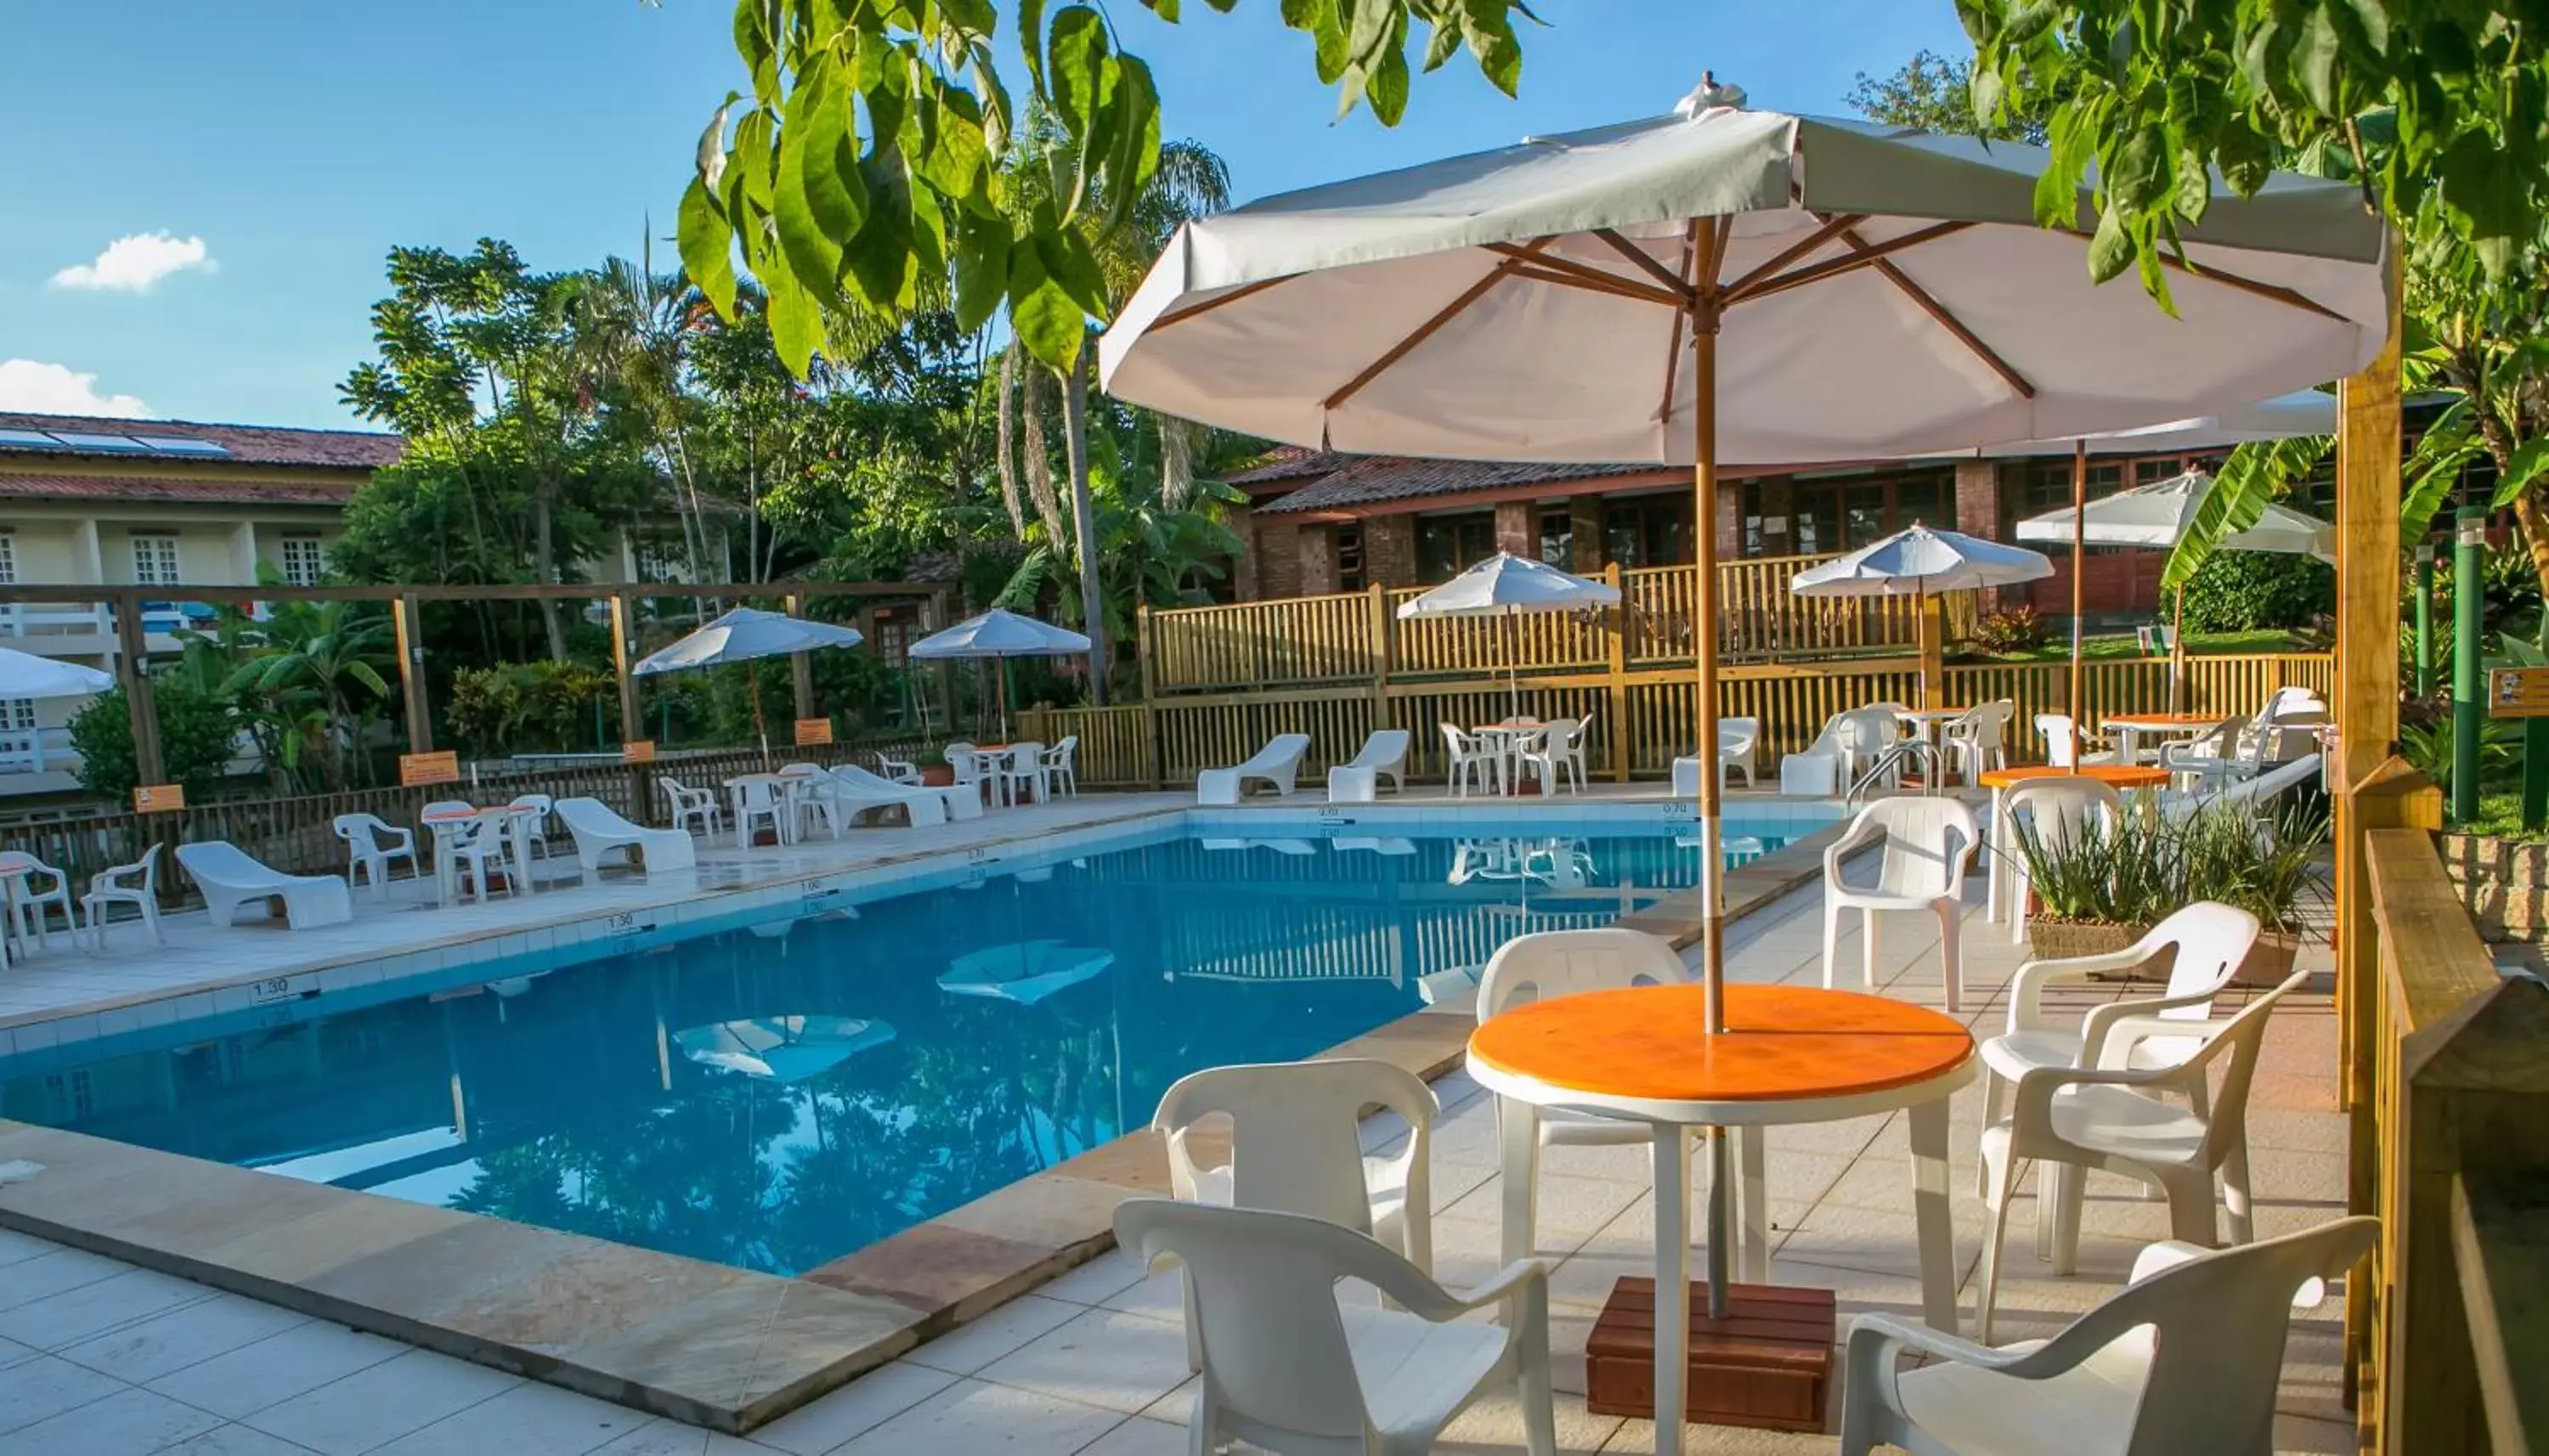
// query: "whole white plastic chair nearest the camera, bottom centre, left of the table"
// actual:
[[1291, 1368]]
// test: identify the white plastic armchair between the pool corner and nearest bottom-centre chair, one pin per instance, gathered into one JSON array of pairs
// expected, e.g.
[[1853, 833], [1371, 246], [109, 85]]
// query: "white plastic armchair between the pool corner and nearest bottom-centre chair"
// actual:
[[1296, 1146]]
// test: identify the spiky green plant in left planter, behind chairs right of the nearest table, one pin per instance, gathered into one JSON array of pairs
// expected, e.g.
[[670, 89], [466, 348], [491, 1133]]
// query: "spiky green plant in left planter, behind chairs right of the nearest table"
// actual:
[[2102, 889]]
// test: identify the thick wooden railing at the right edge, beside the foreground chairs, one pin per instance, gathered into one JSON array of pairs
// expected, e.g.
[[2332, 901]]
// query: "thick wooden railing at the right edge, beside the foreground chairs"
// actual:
[[2448, 1327]]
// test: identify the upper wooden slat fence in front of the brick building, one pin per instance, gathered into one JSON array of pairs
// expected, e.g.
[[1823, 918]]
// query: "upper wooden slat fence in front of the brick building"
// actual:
[[1360, 636]]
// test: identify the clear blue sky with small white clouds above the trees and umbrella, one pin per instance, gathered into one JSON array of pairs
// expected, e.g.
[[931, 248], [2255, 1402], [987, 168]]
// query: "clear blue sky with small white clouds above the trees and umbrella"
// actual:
[[302, 139]]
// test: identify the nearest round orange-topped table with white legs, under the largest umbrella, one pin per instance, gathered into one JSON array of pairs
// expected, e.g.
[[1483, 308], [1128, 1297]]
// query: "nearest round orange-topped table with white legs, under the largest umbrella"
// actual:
[[1788, 1054]]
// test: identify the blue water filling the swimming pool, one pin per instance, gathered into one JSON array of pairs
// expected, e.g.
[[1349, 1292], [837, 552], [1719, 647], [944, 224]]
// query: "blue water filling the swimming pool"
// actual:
[[781, 1093]]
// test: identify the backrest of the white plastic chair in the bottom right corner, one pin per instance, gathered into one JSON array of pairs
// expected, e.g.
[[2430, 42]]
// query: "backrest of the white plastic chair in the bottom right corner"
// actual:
[[2219, 1325]]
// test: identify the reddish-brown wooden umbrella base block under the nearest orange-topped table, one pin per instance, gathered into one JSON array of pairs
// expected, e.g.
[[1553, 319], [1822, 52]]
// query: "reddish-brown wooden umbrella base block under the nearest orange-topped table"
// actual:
[[1768, 1363]]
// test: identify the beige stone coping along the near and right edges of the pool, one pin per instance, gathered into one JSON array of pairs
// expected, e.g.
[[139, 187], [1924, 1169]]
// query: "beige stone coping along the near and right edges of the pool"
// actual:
[[677, 1337]]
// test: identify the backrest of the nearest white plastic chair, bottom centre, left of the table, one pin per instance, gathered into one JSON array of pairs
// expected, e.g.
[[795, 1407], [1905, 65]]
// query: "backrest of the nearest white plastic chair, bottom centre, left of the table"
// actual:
[[1263, 1294]]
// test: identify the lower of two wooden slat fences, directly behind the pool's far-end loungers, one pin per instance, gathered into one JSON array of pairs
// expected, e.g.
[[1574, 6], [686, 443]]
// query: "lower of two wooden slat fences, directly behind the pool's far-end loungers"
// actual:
[[1640, 718]]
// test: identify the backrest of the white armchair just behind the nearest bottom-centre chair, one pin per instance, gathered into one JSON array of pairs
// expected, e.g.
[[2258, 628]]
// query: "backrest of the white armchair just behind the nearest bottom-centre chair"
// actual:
[[1296, 1131]]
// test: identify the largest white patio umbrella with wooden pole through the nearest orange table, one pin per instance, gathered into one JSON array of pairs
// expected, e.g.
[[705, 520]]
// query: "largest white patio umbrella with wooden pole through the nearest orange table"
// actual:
[[1882, 292]]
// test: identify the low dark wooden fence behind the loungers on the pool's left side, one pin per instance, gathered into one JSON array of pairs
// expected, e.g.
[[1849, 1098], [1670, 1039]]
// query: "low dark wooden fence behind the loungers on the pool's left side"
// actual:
[[297, 835]]
